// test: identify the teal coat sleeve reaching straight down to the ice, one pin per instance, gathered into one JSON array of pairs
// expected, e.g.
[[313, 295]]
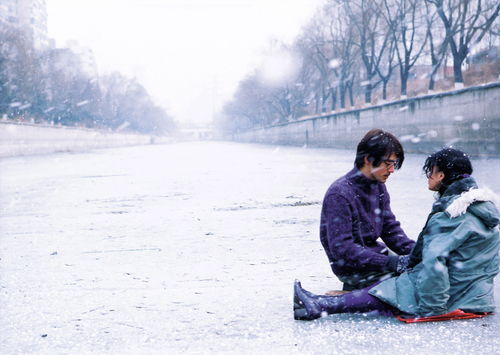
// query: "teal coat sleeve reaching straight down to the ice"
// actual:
[[442, 236]]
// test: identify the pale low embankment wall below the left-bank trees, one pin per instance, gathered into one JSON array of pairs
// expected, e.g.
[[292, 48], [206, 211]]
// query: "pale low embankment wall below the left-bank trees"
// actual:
[[28, 139]]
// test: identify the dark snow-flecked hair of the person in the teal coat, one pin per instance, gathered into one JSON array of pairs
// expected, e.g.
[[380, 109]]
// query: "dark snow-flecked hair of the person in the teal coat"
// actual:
[[454, 163]]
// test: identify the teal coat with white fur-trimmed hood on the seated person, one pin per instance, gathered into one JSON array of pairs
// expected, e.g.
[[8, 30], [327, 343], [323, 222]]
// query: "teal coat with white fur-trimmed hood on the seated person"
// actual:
[[455, 259]]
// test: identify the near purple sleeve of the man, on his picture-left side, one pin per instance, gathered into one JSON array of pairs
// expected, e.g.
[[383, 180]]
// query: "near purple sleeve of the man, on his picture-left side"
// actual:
[[344, 248]]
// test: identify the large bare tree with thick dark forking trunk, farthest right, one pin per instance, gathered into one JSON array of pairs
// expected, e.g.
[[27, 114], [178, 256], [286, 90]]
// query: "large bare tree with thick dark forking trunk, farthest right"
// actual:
[[466, 22]]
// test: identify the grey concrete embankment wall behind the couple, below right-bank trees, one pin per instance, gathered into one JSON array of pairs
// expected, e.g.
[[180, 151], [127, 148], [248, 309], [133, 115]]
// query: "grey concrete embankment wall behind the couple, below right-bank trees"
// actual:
[[467, 119]]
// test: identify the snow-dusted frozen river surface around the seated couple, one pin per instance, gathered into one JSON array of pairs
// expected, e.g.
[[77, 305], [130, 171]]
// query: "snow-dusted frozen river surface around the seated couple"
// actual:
[[193, 247]]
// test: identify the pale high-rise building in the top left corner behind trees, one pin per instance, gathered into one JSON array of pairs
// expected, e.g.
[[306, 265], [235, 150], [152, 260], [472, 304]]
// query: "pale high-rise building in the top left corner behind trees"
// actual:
[[30, 16]]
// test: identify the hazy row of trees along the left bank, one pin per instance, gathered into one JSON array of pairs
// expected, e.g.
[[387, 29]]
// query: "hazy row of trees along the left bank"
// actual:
[[54, 86]]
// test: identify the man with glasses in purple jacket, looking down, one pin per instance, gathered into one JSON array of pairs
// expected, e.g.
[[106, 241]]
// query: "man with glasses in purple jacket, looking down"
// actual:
[[356, 212]]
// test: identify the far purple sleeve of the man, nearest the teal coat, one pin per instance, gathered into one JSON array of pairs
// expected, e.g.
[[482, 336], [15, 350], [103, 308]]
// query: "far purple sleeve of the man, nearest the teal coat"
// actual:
[[392, 233]]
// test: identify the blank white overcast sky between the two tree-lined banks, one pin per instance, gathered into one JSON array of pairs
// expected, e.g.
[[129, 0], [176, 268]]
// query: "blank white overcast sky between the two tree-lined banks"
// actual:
[[189, 54]]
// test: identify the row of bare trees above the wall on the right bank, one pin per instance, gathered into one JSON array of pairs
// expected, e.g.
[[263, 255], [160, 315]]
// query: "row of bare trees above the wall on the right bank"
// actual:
[[353, 47]]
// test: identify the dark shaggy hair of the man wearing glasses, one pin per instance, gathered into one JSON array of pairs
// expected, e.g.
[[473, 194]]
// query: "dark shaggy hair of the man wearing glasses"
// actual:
[[377, 145]]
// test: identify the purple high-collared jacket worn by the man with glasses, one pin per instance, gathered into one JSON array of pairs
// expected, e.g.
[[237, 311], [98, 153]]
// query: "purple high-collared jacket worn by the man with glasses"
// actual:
[[356, 212]]
